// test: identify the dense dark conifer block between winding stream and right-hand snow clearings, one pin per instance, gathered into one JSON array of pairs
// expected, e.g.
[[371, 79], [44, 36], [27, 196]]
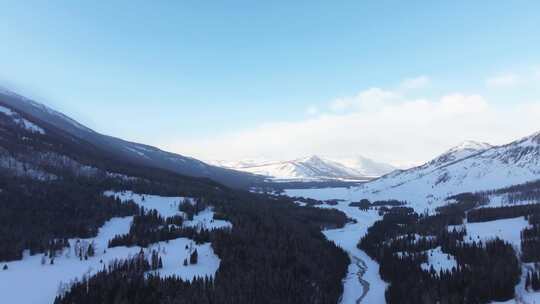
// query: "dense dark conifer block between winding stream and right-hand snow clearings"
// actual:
[[485, 272]]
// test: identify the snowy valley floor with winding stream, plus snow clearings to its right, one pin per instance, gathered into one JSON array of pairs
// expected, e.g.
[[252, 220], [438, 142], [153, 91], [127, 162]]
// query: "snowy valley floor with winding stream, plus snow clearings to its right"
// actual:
[[363, 283]]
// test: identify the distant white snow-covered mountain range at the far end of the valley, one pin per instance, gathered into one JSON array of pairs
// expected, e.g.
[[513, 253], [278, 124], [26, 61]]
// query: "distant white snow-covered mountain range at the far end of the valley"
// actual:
[[310, 168]]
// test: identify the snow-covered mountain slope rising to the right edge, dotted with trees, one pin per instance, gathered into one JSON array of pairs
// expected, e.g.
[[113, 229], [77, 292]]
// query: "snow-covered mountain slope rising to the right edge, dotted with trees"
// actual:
[[469, 167]]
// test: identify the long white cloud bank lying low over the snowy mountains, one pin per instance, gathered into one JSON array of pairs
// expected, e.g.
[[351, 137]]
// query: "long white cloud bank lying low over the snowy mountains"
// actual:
[[394, 129]]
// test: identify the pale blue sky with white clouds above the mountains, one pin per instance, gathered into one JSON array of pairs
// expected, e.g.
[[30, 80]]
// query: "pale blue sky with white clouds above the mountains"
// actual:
[[395, 81]]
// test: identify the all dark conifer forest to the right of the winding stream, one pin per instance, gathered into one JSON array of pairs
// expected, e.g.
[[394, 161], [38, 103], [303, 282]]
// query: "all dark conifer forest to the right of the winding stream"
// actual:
[[485, 271]]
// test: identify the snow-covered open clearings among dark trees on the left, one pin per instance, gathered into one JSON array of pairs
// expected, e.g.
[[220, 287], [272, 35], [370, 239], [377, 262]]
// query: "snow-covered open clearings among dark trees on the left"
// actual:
[[52, 276]]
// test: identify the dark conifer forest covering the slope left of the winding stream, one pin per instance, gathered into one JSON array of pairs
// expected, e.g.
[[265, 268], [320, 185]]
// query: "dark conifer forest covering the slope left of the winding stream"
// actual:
[[275, 252]]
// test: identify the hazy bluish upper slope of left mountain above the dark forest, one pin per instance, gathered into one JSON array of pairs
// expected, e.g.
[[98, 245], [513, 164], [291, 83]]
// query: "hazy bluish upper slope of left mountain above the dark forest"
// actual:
[[119, 149]]
